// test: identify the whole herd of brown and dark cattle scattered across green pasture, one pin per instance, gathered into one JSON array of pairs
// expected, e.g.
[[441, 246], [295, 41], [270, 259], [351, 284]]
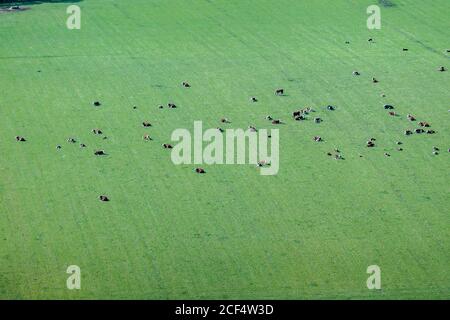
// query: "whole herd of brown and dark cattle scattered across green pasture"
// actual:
[[297, 115]]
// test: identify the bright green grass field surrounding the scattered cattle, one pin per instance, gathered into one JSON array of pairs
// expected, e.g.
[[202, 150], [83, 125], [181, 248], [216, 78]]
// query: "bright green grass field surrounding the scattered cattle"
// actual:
[[309, 232]]
